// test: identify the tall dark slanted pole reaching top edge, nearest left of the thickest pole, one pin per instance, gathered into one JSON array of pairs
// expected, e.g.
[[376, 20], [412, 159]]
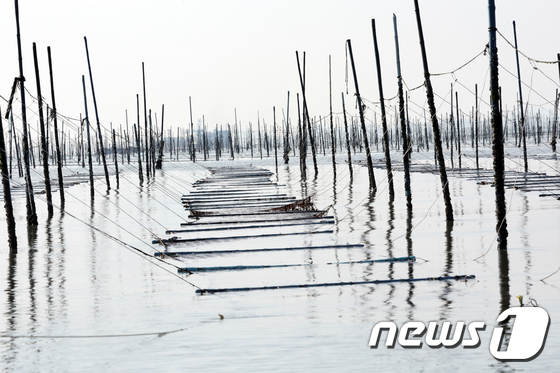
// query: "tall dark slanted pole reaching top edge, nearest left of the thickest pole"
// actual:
[[435, 125]]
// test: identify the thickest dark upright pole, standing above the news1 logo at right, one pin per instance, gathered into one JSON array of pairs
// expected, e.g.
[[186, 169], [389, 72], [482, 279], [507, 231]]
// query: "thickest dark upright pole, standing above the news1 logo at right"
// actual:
[[497, 132]]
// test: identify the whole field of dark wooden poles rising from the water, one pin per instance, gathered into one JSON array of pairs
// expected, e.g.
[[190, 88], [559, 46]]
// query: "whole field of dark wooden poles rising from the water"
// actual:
[[151, 145]]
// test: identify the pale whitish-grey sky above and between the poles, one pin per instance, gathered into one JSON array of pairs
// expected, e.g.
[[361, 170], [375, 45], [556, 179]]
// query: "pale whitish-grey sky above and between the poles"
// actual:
[[241, 54]]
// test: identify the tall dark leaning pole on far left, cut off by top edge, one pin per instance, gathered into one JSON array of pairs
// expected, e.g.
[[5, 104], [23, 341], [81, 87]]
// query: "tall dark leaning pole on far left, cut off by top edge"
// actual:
[[31, 212]]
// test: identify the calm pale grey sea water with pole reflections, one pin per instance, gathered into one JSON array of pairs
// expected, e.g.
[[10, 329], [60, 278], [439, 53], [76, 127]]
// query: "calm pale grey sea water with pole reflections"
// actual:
[[74, 299]]
